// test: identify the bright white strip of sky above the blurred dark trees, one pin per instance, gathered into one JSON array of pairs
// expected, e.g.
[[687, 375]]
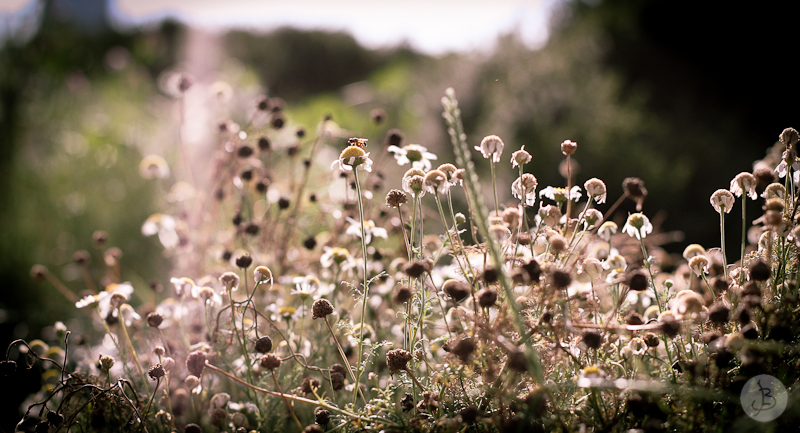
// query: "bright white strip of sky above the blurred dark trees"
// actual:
[[431, 26]]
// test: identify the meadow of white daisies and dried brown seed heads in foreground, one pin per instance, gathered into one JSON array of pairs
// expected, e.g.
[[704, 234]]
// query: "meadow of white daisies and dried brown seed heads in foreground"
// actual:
[[333, 278]]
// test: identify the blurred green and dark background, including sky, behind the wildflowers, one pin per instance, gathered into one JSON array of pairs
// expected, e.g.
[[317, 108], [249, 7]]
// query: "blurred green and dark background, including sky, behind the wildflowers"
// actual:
[[683, 97]]
